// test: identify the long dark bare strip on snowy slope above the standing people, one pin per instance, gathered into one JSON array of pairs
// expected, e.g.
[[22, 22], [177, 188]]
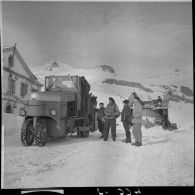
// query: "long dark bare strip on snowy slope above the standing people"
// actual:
[[127, 83]]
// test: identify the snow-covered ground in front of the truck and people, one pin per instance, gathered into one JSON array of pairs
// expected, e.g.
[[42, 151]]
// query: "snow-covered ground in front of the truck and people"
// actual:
[[166, 158]]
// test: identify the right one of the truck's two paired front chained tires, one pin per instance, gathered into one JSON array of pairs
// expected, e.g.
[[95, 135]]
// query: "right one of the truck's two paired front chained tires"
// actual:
[[41, 133]]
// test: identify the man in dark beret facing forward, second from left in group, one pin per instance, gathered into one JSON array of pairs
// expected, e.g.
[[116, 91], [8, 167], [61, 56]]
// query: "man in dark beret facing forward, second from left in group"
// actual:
[[111, 113]]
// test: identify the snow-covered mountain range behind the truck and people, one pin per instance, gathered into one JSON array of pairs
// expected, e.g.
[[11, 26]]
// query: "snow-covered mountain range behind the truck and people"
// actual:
[[105, 80]]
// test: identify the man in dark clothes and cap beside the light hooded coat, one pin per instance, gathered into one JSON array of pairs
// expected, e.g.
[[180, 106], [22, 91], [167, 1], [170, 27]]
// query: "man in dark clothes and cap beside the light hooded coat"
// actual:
[[126, 120]]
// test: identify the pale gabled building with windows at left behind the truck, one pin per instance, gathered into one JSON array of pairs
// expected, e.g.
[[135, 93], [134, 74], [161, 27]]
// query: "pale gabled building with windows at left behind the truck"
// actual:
[[17, 81]]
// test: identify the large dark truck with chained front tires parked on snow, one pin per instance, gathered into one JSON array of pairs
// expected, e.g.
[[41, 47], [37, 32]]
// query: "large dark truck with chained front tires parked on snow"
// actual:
[[64, 107]]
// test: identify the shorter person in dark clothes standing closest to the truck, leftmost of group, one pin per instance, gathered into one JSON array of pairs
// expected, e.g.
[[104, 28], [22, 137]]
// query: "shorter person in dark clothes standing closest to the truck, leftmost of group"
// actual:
[[100, 119]]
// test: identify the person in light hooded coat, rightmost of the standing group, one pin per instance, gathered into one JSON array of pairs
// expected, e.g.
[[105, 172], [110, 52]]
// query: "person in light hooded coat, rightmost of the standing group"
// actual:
[[137, 121]]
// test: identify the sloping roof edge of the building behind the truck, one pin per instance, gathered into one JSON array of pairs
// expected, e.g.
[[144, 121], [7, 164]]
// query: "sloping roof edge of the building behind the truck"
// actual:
[[23, 63]]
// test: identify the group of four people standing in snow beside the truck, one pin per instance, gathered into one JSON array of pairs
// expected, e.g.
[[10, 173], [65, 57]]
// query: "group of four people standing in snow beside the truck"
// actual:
[[131, 115]]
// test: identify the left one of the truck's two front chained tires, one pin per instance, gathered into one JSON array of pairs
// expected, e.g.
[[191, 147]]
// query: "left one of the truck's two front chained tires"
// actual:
[[27, 133]]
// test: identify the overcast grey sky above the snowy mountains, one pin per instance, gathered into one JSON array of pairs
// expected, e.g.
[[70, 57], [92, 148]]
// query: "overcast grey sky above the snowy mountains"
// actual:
[[131, 37]]
